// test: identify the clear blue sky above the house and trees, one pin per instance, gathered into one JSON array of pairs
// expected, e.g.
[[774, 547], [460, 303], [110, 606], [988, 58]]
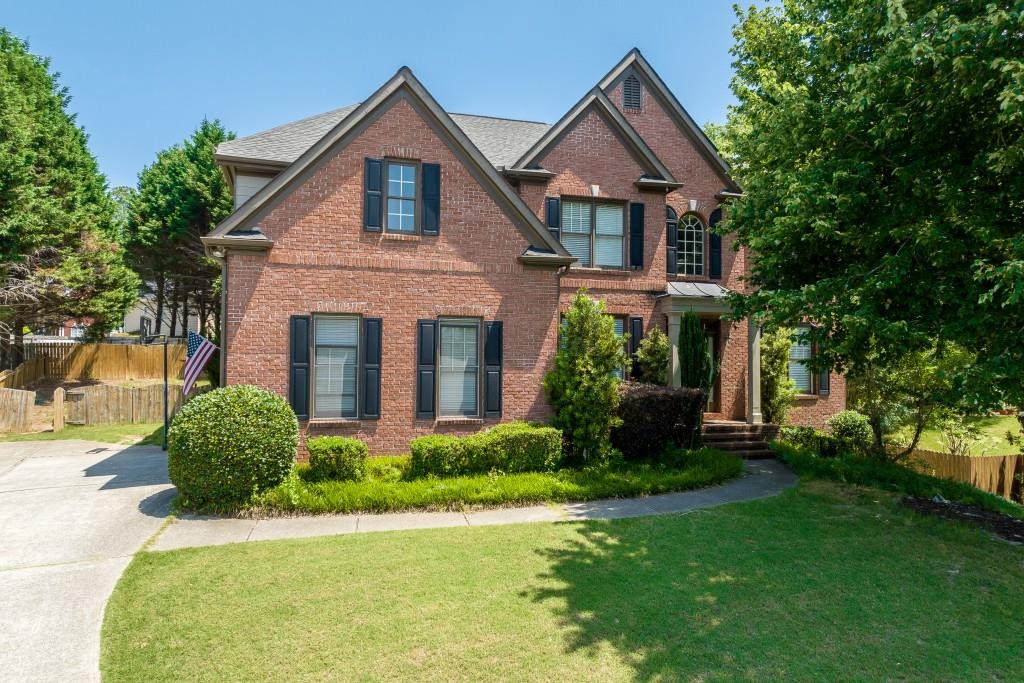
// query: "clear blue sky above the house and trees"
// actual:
[[144, 74]]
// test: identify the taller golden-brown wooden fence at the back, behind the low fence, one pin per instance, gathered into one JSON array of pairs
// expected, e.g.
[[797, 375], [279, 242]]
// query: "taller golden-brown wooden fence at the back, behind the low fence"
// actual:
[[109, 362]]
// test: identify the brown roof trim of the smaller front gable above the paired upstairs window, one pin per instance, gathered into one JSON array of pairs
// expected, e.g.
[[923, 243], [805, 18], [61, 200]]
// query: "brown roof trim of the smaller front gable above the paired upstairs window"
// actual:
[[596, 101]]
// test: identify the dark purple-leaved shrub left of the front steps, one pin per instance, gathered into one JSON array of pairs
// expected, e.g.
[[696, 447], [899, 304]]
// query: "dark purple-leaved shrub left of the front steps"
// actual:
[[656, 417]]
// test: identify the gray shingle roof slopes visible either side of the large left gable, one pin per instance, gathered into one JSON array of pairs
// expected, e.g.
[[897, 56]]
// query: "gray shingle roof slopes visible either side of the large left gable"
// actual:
[[501, 141]]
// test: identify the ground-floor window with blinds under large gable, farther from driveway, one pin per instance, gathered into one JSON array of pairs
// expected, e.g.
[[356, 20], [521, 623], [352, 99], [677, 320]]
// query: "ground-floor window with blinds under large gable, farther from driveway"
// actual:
[[459, 369]]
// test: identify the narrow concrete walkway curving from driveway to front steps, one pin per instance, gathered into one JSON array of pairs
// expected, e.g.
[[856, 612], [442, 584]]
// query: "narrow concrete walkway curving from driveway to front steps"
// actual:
[[764, 478]]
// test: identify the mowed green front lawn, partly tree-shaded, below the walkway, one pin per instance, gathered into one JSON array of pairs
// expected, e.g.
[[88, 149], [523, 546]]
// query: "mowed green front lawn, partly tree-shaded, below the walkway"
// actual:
[[822, 583]]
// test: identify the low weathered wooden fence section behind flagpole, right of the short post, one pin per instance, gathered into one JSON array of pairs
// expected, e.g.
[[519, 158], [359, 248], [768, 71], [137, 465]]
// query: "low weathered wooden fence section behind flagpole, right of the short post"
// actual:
[[104, 405]]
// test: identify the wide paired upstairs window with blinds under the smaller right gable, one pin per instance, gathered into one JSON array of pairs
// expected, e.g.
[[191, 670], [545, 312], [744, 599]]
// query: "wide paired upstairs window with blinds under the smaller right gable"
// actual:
[[595, 233]]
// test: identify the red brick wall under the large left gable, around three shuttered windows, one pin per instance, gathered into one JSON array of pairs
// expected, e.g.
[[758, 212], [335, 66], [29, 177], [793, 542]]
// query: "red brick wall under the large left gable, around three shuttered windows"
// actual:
[[323, 262]]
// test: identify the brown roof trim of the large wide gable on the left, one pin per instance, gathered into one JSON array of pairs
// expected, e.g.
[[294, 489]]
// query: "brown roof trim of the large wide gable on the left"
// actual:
[[404, 84]]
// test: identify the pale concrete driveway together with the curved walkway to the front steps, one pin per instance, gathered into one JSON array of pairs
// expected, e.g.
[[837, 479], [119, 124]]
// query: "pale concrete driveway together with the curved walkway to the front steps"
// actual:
[[73, 514]]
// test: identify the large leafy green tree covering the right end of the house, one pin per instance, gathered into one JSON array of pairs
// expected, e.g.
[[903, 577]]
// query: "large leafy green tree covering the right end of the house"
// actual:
[[880, 145]]
